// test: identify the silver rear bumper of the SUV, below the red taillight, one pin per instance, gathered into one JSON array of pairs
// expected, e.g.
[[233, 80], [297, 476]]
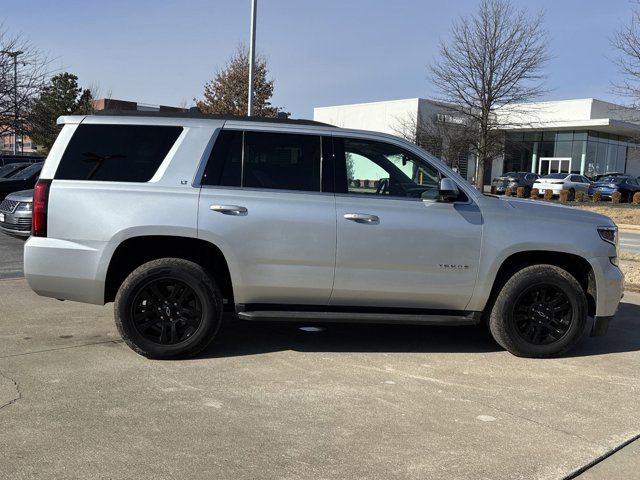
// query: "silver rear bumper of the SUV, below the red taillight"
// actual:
[[64, 270]]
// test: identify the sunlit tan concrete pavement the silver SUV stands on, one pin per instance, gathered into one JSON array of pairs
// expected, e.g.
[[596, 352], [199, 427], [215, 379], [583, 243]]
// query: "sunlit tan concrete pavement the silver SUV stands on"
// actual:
[[275, 401]]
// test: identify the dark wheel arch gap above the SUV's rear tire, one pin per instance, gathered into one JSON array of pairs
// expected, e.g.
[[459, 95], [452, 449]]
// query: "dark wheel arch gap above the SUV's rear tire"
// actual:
[[135, 251]]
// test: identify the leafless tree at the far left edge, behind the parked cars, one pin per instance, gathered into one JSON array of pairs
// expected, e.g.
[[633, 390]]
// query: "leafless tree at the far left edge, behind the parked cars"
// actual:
[[23, 72]]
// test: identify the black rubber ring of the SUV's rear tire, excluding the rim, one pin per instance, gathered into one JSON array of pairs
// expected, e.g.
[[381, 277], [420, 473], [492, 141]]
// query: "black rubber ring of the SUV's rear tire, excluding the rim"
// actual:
[[186, 272]]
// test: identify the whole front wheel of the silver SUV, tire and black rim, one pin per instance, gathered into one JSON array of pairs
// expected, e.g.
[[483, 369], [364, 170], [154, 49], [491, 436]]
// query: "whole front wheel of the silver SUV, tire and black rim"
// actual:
[[529, 328]]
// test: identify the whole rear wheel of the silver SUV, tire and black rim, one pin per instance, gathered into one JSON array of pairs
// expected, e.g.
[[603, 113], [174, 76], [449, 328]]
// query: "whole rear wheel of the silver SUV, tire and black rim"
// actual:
[[168, 308]]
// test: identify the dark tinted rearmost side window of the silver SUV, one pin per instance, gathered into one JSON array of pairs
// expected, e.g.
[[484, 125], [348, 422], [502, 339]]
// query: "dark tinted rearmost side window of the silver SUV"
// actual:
[[117, 153]]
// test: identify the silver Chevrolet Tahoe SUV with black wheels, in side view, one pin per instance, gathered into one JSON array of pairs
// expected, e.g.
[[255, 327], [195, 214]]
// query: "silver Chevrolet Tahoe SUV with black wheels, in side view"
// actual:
[[178, 218]]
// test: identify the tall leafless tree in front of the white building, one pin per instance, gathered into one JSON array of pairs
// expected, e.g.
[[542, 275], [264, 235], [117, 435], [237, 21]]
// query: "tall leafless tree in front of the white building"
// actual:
[[492, 60]]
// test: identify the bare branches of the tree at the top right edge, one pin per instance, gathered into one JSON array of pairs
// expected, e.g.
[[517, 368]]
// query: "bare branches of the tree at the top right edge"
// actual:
[[627, 44]]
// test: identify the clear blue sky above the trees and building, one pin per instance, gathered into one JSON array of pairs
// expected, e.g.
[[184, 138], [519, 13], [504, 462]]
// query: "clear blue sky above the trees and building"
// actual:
[[320, 53]]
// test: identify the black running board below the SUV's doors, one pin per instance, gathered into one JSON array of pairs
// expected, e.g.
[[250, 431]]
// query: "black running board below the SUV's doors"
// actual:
[[468, 318]]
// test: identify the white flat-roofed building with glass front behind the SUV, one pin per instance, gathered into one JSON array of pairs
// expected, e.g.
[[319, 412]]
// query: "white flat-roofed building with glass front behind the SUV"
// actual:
[[585, 136]]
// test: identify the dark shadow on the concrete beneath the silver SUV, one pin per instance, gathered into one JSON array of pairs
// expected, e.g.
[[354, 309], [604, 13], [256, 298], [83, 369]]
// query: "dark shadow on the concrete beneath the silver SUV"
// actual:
[[239, 338]]
